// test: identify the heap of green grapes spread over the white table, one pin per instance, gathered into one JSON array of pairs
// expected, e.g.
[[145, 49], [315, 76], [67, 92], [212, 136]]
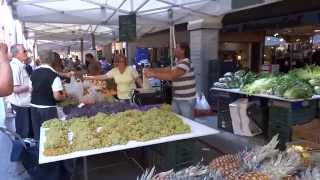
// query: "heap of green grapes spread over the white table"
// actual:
[[105, 130]]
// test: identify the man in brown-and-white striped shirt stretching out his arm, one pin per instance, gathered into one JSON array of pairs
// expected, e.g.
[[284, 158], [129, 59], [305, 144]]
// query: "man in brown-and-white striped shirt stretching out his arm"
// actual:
[[183, 81]]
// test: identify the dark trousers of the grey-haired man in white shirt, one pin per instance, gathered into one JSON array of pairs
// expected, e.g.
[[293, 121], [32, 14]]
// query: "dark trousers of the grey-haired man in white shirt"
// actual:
[[23, 121]]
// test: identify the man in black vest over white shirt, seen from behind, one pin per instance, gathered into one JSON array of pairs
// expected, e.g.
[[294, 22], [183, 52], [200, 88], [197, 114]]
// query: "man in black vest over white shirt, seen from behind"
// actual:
[[47, 89]]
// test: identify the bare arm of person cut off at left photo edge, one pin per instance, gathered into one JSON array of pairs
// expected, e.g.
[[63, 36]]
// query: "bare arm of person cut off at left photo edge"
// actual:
[[6, 81]]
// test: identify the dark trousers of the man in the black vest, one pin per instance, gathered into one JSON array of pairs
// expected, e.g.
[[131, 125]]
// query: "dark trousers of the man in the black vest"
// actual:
[[40, 115]]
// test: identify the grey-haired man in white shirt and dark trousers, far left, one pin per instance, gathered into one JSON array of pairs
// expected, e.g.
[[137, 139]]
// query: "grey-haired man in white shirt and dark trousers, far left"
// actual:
[[20, 98]]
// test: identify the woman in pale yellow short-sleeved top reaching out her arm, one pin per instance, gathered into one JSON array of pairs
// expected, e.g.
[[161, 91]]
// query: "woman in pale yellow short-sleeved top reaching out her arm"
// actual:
[[124, 76]]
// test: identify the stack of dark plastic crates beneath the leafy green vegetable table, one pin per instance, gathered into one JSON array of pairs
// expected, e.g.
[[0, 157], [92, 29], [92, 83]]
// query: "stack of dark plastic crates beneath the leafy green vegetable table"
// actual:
[[284, 115]]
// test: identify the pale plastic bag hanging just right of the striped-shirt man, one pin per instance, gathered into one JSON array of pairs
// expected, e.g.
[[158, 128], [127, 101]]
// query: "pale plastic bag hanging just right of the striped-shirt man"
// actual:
[[202, 107]]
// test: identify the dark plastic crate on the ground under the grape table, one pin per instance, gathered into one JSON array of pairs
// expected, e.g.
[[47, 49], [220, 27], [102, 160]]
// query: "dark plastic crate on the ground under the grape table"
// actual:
[[173, 155]]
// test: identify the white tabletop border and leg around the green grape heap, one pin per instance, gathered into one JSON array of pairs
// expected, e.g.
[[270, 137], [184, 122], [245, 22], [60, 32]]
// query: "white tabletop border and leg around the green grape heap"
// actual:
[[197, 130]]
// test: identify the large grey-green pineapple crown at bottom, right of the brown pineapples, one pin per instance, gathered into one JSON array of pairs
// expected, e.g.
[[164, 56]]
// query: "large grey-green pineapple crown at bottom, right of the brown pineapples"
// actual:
[[282, 165]]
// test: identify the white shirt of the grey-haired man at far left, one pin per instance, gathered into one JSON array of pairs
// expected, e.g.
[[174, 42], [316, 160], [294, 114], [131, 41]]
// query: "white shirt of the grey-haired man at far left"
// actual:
[[20, 78]]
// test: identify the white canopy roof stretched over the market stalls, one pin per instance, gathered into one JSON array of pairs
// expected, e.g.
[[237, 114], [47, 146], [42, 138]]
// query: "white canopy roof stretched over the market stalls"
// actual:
[[70, 20]]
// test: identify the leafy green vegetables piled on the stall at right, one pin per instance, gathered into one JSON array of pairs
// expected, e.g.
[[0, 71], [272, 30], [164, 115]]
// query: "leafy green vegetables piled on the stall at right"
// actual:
[[300, 83]]
